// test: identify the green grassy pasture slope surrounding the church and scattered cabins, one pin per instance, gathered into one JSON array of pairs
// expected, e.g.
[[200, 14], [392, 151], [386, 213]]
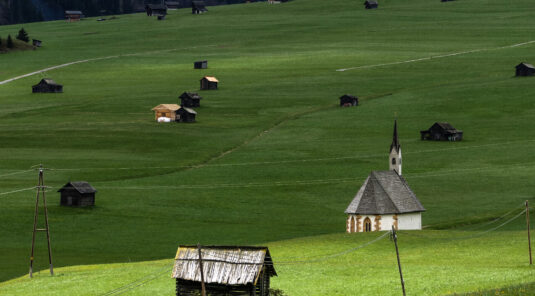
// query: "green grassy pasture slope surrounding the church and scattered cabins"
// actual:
[[272, 160]]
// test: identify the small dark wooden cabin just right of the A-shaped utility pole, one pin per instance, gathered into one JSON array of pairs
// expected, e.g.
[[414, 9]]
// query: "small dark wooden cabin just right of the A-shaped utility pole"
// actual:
[[77, 194]]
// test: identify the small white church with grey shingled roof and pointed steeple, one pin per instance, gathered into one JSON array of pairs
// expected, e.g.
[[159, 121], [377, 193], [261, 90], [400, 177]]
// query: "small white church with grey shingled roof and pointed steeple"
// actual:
[[385, 199]]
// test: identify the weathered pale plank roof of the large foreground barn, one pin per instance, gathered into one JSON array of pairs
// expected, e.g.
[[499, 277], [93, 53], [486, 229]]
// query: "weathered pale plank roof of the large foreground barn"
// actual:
[[227, 265]]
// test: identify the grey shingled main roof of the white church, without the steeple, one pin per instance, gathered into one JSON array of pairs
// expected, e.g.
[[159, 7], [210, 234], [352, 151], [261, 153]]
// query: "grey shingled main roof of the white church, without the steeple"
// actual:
[[384, 192]]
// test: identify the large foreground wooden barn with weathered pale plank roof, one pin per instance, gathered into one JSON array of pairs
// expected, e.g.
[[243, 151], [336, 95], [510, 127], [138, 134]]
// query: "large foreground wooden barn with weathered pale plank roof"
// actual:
[[236, 270]]
